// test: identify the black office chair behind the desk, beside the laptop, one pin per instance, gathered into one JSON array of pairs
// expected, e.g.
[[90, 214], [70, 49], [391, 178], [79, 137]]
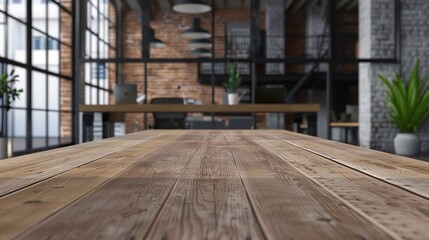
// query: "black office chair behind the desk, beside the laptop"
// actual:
[[169, 120]]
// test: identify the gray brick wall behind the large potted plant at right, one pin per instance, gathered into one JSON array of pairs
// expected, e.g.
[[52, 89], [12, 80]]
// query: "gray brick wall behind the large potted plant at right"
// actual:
[[377, 41]]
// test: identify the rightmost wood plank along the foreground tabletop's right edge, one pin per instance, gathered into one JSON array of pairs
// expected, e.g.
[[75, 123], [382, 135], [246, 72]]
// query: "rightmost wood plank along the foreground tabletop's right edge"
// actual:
[[409, 174]]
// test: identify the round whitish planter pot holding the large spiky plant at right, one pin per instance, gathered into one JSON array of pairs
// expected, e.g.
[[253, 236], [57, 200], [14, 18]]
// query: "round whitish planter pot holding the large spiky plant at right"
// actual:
[[407, 144]]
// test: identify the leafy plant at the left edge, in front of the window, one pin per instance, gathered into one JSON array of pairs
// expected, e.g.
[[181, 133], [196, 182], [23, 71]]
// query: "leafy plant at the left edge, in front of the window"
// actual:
[[8, 94]]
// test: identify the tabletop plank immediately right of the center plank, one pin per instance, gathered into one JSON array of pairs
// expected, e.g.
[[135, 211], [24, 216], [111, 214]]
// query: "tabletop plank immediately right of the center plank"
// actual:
[[281, 194]]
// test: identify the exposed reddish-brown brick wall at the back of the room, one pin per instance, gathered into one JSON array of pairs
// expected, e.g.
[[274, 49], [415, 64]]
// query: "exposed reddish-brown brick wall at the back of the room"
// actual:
[[163, 78]]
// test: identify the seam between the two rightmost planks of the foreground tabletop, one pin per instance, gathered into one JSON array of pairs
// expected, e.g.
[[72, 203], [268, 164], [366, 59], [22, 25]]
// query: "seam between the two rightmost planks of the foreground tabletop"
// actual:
[[388, 180]]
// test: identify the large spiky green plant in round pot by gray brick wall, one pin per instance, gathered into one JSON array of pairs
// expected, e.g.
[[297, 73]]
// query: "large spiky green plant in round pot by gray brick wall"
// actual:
[[409, 107]]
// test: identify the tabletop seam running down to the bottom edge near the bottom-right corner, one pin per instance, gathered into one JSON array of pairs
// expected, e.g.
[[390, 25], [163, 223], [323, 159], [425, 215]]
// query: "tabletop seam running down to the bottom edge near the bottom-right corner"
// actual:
[[351, 206]]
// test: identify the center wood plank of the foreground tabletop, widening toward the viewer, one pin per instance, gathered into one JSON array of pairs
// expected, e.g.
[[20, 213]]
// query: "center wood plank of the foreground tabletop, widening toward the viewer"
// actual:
[[209, 200]]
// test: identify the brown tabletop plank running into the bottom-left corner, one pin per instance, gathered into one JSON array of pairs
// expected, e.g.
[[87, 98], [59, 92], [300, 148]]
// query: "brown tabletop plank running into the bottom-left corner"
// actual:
[[25, 208]]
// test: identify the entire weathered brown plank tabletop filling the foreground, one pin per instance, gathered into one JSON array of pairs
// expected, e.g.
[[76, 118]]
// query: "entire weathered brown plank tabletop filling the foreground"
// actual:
[[183, 184]]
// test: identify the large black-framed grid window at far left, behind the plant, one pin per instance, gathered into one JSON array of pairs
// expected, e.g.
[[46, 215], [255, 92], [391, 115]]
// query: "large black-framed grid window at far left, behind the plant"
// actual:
[[36, 41]]
